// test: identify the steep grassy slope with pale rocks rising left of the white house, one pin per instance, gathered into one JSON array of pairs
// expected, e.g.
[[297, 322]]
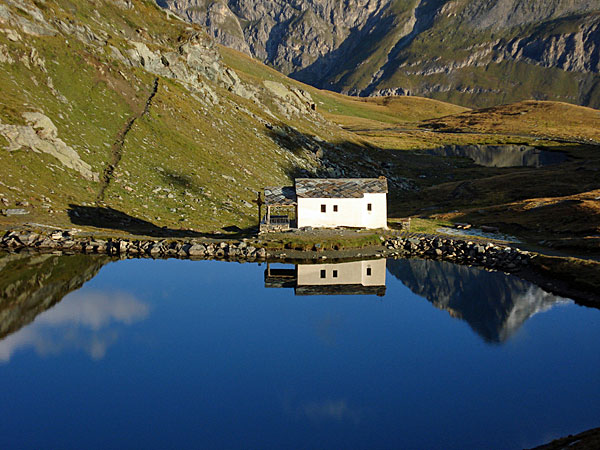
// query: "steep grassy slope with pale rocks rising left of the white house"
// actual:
[[120, 109]]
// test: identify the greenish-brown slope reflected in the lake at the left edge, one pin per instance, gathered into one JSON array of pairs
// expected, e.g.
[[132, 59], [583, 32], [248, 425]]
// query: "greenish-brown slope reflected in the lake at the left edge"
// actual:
[[31, 284]]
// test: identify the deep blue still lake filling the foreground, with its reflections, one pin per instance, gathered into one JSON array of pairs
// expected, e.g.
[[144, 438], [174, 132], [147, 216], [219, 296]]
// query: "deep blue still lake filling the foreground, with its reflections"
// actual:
[[183, 354]]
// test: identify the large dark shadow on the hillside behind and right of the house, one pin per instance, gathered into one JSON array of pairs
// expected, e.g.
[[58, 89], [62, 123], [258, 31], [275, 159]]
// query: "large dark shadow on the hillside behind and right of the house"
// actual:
[[422, 184]]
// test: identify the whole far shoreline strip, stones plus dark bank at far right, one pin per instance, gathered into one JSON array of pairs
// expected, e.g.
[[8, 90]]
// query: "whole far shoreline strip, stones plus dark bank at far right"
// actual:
[[536, 268]]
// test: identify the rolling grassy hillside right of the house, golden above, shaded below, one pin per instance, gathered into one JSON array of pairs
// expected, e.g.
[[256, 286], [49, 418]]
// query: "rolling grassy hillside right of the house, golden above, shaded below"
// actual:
[[558, 204]]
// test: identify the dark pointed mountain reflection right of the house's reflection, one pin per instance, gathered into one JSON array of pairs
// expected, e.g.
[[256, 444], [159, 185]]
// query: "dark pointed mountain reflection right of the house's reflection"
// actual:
[[495, 305]]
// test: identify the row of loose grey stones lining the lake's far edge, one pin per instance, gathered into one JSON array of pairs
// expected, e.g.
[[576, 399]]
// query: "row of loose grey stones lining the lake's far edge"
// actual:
[[482, 254]]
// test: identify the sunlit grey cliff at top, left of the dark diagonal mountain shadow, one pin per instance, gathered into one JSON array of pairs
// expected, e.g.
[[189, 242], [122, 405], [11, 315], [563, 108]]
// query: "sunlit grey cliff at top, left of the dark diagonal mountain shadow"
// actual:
[[290, 35]]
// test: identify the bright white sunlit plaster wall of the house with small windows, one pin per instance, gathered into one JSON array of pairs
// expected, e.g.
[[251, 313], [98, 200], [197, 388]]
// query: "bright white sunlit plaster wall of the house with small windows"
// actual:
[[352, 212]]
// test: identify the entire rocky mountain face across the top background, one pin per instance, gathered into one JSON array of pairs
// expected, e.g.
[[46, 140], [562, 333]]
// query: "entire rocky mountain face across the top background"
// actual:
[[475, 53]]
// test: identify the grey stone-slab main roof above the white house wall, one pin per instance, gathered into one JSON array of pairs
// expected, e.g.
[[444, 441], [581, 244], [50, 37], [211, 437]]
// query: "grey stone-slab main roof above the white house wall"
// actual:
[[340, 187]]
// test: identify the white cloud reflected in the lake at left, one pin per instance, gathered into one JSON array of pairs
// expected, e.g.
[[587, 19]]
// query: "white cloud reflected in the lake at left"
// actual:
[[81, 321]]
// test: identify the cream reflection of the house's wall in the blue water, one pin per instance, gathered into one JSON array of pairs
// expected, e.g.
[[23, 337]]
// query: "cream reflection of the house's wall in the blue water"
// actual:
[[348, 273]]
